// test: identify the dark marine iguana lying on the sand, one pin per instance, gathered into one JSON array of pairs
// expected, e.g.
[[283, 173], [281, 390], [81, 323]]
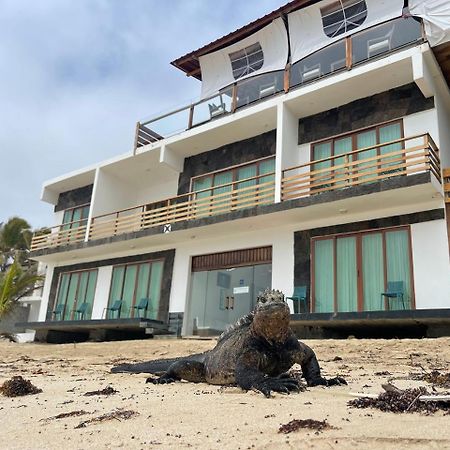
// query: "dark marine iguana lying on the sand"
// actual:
[[255, 353]]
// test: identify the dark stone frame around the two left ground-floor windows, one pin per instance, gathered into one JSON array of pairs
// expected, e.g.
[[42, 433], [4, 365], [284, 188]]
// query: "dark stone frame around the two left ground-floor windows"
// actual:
[[167, 255]]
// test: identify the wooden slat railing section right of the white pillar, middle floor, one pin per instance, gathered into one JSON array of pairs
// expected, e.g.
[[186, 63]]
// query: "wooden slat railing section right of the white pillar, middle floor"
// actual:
[[400, 157]]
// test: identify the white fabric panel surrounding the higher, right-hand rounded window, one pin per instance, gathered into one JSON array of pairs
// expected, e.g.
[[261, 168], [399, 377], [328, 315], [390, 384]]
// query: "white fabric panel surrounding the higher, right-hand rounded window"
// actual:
[[306, 26]]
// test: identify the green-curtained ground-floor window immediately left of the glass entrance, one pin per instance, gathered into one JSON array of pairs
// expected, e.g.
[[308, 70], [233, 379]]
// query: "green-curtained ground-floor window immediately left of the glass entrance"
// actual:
[[132, 282]]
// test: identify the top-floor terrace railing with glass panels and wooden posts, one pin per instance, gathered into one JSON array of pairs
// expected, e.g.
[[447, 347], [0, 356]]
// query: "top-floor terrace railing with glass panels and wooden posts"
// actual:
[[342, 55]]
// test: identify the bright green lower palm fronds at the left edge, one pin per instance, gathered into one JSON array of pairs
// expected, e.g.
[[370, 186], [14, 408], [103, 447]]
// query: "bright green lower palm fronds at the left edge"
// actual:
[[16, 283]]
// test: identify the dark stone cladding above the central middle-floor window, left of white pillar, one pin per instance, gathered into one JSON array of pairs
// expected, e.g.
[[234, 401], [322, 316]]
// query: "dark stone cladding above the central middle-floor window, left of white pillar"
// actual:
[[226, 156]]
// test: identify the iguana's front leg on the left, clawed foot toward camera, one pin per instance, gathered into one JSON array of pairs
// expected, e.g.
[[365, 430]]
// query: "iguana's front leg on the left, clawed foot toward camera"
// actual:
[[249, 376]]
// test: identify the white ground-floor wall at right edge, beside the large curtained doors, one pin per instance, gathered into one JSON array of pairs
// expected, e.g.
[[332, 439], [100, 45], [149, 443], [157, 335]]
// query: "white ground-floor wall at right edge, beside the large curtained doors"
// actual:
[[431, 264]]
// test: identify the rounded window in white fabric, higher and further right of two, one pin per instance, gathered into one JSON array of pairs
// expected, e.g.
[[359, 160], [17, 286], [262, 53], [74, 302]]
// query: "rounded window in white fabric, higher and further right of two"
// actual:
[[342, 16]]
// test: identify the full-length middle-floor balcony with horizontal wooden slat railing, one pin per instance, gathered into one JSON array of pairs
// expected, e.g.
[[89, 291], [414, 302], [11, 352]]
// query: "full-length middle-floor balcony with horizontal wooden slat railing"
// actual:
[[397, 159]]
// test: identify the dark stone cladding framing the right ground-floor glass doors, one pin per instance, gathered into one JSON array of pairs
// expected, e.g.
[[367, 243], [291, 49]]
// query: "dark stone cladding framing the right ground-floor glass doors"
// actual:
[[302, 239]]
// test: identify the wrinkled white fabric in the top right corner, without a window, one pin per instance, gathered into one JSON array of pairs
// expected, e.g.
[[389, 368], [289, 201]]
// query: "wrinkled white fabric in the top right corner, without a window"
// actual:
[[436, 18]]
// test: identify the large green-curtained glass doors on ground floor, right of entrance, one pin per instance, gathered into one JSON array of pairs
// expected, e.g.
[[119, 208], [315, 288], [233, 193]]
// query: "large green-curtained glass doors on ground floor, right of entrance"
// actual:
[[351, 271]]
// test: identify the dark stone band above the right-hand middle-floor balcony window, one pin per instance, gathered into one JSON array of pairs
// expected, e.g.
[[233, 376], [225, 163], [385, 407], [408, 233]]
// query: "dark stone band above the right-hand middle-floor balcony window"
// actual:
[[364, 112]]
